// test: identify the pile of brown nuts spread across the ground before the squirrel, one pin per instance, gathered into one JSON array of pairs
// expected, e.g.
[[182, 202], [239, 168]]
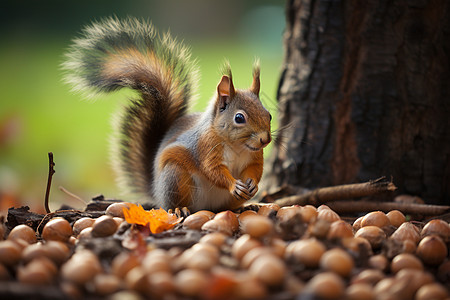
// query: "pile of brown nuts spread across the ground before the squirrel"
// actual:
[[270, 253]]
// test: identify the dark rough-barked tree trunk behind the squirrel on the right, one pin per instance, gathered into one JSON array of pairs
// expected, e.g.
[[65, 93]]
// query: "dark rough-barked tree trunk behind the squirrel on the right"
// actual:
[[365, 90]]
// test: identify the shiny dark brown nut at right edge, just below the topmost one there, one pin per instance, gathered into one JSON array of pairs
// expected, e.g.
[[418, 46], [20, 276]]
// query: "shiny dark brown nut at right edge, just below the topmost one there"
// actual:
[[432, 250]]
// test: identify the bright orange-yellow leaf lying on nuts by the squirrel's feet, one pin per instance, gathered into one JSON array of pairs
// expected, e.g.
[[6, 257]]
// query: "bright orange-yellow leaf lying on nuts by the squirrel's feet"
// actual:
[[158, 220]]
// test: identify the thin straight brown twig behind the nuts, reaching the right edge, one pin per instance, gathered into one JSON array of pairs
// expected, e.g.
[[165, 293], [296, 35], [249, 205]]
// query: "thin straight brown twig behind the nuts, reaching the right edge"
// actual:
[[406, 208]]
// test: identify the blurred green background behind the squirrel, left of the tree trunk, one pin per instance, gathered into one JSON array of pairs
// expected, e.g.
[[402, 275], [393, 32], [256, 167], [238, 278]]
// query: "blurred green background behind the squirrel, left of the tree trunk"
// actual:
[[39, 114]]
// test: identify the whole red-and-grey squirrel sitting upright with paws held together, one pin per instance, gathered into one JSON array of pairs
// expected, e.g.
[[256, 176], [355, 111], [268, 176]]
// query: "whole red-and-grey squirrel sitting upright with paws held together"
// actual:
[[211, 160]]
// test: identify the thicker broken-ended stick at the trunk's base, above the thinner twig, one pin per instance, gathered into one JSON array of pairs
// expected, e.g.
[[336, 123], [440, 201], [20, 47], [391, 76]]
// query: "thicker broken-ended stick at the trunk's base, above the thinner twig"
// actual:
[[340, 192]]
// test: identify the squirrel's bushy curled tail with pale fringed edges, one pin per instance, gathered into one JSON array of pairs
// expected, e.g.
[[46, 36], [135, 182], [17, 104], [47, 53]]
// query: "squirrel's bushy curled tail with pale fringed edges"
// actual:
[[112, 54]]
